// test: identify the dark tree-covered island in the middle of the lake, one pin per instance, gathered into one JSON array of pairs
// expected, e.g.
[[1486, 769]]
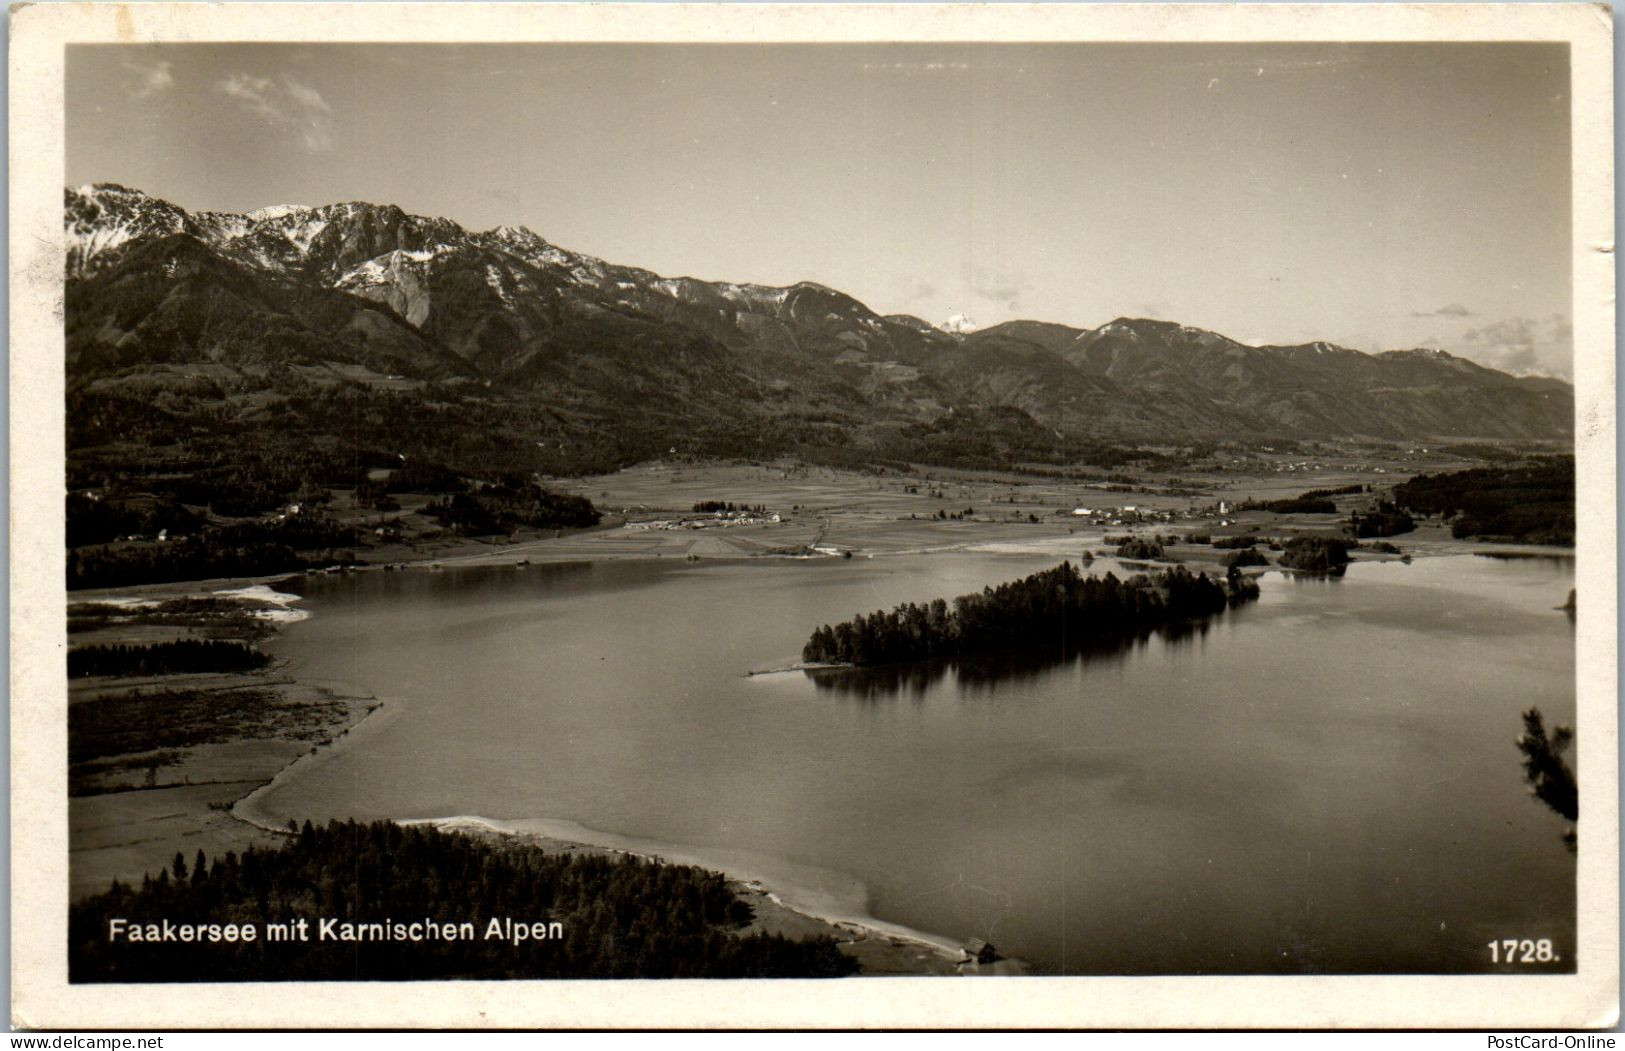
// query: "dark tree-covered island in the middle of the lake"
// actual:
[[1059, 605]]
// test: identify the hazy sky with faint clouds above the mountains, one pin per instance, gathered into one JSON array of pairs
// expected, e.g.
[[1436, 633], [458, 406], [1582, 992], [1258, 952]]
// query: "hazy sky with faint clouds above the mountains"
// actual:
[[1376, 196]]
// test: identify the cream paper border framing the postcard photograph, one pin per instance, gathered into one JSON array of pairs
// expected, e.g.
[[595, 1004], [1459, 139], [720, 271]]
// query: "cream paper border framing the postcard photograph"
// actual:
[[45, 998]]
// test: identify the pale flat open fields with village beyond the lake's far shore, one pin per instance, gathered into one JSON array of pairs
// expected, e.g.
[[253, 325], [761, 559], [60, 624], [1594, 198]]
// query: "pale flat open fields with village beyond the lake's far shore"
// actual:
[[649, 511]]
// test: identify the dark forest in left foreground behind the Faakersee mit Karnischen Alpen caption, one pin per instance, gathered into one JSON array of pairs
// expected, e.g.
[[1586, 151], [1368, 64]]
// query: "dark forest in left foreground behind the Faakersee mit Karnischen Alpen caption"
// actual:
[[623, 917]]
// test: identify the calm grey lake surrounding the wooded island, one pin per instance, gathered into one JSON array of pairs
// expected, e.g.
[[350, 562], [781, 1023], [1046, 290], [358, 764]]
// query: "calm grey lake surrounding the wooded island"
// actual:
[[1320, 782]]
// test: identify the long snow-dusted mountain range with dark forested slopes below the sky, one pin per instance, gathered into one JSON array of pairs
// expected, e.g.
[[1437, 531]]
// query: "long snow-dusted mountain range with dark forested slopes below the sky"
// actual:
[[243, 313]]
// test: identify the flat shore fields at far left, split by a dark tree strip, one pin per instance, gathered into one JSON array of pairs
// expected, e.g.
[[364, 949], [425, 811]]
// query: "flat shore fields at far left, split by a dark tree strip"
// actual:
[[157, 761]]
